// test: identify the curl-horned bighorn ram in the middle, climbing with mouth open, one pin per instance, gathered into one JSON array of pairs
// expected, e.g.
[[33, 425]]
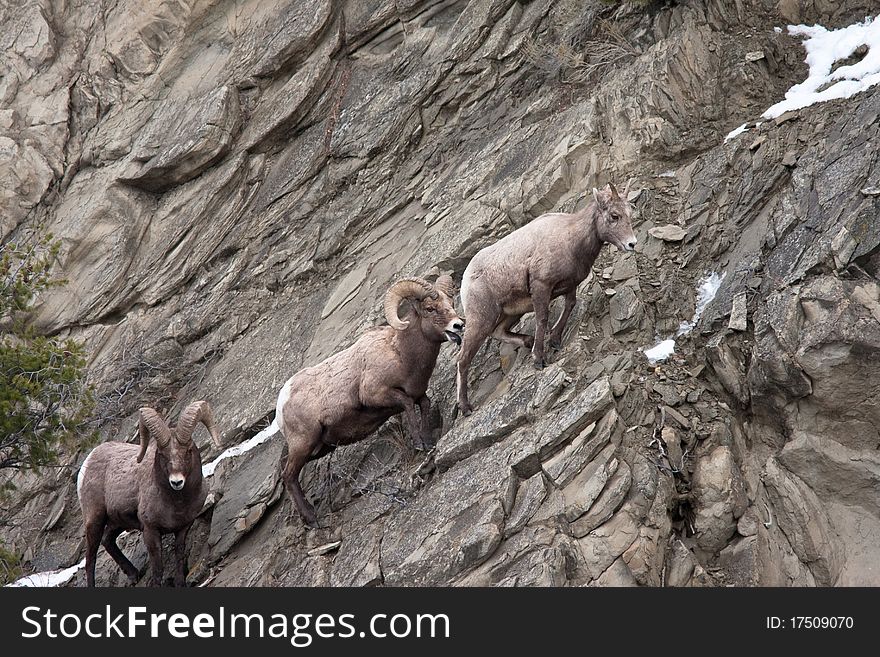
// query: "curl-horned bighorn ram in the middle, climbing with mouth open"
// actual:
[[349, 395]]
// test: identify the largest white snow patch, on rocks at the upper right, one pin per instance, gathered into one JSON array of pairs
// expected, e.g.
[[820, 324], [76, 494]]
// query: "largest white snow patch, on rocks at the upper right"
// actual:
[[825, 48]]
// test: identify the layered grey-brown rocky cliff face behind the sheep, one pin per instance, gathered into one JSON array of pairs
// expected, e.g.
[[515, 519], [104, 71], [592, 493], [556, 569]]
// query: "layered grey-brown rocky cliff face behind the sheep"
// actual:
[[236, 184]]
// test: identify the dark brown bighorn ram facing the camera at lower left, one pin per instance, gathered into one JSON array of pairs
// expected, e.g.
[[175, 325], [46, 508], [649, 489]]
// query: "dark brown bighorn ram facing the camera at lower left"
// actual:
[[157, 488]]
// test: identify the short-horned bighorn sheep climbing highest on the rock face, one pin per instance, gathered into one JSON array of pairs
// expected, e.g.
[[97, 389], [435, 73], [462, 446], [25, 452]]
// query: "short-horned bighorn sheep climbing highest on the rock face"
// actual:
[[524, 271]]
